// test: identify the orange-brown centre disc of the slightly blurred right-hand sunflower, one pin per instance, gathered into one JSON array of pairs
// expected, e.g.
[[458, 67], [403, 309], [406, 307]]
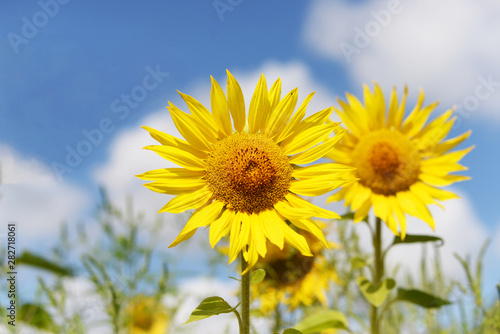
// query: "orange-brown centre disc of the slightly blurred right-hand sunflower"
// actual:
[[386, 162]]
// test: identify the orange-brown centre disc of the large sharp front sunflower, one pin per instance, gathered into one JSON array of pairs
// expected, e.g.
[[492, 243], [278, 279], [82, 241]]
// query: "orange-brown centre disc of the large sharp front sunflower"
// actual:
[[248, 172]]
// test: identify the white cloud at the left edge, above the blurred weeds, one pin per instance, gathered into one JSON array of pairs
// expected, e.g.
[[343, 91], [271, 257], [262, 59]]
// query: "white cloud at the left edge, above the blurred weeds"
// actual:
[[34, 199]]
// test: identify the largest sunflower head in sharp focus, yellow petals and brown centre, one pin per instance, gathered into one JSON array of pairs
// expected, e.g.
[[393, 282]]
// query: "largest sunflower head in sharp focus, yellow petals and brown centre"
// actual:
[[244, 182]]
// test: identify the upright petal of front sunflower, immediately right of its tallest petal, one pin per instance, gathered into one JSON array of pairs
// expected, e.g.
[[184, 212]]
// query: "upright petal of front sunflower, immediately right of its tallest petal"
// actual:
[[259, 106]]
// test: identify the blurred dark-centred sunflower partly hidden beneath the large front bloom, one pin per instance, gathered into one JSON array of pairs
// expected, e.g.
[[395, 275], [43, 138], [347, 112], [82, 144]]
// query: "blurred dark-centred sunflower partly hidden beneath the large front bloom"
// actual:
[[293, 279]]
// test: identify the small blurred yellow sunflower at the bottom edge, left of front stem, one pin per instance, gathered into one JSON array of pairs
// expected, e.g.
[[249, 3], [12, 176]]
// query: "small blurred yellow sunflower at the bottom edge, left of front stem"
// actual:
[[144, 315]]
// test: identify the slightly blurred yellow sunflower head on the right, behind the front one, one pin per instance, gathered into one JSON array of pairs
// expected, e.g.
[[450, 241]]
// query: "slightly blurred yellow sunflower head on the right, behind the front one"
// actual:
[[401, 163]]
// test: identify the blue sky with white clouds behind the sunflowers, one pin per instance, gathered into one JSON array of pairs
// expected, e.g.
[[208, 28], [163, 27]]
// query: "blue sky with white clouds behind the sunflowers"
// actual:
[[66, 68]]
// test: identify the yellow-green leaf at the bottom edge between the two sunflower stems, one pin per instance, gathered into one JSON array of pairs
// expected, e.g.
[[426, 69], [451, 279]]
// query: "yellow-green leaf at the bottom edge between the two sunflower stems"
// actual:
[[320, 321]]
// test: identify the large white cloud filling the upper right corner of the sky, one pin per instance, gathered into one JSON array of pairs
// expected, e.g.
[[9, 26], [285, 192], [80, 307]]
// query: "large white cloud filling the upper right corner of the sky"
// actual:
[[446, 47]]
